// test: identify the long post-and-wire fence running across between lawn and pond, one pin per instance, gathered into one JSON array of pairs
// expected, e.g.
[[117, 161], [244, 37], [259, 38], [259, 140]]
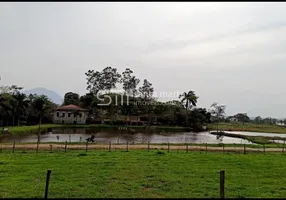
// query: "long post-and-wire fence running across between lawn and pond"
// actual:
[[67, 147]]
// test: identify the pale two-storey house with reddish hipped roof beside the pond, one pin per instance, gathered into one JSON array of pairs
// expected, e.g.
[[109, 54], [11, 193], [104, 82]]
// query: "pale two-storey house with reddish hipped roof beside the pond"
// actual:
[[70, 114]]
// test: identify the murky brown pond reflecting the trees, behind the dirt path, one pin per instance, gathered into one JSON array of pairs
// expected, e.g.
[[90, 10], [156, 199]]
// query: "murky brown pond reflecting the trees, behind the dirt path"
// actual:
[[122, 136]]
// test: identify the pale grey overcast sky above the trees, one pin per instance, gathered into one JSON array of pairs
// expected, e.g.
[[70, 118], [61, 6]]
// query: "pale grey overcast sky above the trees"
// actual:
[[230, 53]]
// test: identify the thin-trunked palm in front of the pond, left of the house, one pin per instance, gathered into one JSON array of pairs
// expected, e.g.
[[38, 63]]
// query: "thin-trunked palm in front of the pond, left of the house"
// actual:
[[41, 104]]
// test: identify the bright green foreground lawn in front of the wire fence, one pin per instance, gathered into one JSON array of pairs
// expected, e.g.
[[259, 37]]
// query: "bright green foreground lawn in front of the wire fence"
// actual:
[[141, 174]]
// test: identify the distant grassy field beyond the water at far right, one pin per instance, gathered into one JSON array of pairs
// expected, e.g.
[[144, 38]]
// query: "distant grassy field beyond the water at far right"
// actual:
[[248, 127]]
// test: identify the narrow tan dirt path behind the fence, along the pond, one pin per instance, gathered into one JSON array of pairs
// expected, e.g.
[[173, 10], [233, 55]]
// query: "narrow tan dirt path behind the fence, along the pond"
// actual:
[[134, 146]]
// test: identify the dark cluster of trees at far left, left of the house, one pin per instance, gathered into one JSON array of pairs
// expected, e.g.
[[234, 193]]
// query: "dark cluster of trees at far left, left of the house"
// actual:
[[17, 108]]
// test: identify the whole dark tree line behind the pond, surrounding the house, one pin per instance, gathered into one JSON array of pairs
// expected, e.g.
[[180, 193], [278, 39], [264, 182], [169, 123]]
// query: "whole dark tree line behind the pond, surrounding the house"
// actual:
[[17, 108]]
